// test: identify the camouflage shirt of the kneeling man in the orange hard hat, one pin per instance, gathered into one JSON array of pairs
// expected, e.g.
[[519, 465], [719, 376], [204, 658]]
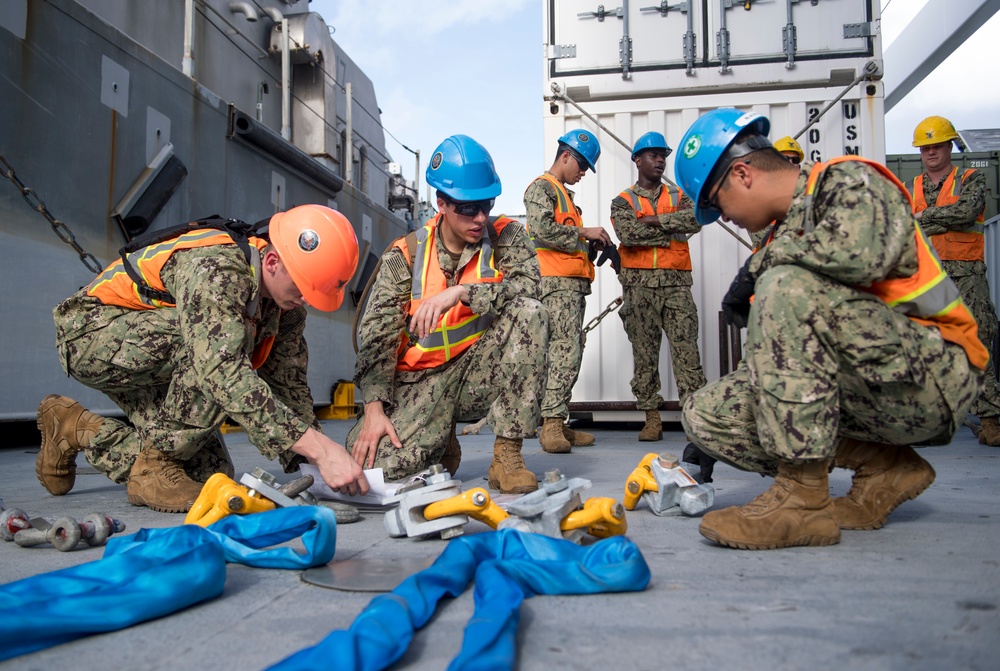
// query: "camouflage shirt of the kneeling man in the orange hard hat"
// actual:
[[213, 287]]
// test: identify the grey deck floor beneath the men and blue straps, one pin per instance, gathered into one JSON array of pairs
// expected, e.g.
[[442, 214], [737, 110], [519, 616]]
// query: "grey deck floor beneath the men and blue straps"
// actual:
[[920, 593]]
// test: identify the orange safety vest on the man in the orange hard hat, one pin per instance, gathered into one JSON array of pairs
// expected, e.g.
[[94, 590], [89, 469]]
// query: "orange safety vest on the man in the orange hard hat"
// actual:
[[114, 286]]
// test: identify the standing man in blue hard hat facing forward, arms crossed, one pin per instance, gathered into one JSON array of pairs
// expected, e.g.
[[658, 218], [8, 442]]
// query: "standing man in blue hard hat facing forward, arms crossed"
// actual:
[[654, 222]]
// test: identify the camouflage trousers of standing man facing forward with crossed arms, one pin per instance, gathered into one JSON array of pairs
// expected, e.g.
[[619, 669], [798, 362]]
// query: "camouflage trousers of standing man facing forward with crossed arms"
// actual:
[[648, 312]]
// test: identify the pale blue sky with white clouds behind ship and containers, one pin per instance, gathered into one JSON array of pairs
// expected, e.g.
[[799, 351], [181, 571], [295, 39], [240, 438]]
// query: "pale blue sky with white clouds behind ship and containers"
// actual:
[[476, 67]]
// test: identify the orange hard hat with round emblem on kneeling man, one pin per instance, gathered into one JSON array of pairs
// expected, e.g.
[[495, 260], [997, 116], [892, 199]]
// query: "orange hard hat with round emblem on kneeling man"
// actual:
[[318, 247]]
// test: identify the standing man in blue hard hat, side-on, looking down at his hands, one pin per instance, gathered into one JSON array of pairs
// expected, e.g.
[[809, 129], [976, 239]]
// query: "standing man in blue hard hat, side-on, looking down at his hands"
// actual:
[[563, 246]]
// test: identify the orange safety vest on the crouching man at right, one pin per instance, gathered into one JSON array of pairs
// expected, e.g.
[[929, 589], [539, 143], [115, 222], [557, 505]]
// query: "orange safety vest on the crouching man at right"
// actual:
[[928, 297]]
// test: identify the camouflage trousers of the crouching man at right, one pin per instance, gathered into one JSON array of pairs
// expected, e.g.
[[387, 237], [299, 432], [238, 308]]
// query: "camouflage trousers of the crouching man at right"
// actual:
[[825, 362]]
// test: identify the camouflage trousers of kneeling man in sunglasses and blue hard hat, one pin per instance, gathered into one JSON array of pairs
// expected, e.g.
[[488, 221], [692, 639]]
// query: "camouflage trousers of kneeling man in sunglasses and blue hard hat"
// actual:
[[503, 374]]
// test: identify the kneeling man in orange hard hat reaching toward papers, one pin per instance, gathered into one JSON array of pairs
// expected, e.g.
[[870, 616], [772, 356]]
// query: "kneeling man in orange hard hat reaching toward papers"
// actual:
[[215, 330]]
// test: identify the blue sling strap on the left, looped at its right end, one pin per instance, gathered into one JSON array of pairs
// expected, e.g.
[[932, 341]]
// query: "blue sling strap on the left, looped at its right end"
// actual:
[[155, 572]]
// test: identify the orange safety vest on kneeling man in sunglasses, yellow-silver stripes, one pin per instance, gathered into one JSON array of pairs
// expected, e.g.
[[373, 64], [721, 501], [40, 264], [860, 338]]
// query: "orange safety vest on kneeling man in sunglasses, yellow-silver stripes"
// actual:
[[459, 328]]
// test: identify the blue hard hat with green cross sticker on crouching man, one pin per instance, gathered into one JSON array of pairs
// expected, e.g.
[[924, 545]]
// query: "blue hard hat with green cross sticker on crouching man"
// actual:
[[707, 145]]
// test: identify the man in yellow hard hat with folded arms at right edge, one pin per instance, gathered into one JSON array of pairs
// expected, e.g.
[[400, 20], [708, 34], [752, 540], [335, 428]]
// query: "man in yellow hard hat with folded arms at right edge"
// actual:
[[949, 204]]
